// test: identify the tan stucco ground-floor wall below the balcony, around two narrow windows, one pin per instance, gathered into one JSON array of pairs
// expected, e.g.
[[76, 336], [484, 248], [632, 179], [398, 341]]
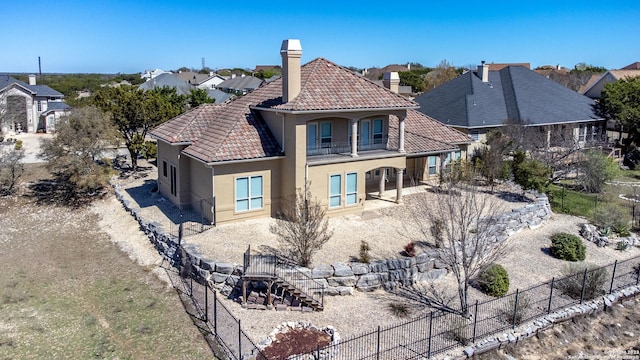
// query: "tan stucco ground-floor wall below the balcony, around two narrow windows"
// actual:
[[319, 181]]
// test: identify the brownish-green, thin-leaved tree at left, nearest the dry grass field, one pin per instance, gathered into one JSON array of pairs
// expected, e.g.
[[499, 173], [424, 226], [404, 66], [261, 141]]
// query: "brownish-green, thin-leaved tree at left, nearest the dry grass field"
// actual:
[[82, 138]]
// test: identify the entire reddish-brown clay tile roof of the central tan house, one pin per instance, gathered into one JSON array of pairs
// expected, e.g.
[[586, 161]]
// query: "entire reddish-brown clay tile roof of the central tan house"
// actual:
[[234, 131]]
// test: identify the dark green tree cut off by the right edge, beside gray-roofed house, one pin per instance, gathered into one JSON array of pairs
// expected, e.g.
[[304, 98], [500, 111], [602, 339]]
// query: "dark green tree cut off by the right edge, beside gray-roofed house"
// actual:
[[620, 101]]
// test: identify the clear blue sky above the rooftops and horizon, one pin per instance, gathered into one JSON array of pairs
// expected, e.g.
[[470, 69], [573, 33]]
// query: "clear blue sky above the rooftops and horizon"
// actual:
[[131, 36]]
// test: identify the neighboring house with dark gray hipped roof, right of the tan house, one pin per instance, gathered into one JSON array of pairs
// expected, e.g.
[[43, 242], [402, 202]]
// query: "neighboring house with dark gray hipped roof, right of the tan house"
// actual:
[[479, 101]]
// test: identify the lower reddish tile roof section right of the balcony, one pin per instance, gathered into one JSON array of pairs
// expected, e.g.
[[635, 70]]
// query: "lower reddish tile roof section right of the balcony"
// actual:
[[423, 134]]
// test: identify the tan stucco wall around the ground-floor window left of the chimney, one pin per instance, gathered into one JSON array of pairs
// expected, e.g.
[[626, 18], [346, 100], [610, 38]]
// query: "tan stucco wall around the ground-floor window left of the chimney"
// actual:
[[224, 185]]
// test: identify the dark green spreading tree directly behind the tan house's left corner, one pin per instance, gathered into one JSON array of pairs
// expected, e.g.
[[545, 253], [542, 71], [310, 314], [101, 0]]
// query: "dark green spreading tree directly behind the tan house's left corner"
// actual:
[[134, 112]]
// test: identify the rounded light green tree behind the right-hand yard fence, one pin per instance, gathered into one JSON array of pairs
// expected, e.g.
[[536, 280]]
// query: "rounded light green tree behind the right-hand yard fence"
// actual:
[[596, 169]]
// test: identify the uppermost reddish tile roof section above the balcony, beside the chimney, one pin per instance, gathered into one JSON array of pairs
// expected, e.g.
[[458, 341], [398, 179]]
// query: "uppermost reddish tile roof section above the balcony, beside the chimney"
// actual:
[[326, 86]]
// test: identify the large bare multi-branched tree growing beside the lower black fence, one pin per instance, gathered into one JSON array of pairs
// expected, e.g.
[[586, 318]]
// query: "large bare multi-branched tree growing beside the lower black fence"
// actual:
[[466, 220]]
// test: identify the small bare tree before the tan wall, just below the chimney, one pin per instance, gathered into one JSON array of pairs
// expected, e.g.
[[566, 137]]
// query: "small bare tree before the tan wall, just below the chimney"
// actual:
[[302, 227]]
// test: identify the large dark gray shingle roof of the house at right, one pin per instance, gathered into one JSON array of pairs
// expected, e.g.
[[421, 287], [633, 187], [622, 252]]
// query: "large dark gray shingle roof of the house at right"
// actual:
[[512, 93]]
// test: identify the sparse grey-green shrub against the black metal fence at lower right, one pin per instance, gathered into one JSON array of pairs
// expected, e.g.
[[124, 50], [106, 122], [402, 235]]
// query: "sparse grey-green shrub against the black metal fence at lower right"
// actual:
[[574, 277]]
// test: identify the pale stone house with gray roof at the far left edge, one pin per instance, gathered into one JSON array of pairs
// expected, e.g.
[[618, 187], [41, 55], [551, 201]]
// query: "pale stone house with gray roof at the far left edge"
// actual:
[[30, 107]]
